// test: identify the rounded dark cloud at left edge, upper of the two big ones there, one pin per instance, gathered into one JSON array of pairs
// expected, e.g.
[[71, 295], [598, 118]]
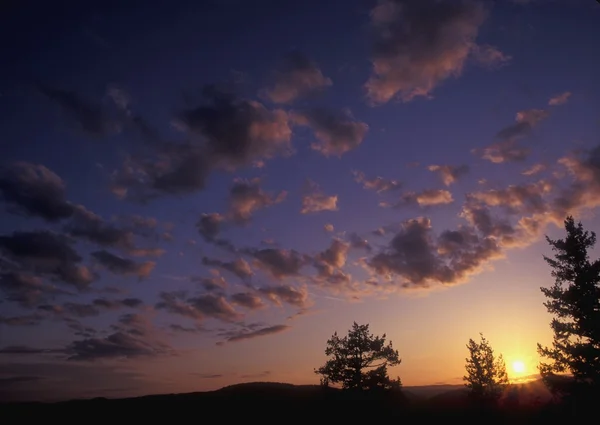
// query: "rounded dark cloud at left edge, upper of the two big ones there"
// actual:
[[35, 191]]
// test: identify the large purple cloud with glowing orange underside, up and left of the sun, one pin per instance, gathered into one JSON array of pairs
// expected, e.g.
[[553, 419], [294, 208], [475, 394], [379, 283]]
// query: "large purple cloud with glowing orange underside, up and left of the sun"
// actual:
[[415, 257]]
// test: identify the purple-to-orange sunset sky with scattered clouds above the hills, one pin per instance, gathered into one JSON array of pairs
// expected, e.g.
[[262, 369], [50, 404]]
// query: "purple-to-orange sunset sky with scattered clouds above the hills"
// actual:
[[198, 194]]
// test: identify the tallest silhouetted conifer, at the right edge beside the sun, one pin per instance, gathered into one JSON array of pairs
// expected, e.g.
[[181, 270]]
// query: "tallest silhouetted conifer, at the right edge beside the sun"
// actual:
[[574, 300]]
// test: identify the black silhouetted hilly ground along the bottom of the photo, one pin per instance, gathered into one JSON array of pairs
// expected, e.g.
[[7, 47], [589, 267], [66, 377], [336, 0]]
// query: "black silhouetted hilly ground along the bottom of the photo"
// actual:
[[283, 403]]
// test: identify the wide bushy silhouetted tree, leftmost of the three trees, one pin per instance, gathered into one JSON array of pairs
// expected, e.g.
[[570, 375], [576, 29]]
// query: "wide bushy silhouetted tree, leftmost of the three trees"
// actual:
[[359, 361]]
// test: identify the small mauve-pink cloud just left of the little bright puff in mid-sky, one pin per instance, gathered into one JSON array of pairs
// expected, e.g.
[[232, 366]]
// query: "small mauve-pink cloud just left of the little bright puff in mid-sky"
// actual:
[[246, 197]]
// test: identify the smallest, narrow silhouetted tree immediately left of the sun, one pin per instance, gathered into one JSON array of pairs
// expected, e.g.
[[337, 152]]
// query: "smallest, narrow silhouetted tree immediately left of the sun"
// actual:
[[486, 376]]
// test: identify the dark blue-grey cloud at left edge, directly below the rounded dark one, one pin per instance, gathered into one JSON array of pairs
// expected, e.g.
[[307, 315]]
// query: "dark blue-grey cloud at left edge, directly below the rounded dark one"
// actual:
[[47, 253]]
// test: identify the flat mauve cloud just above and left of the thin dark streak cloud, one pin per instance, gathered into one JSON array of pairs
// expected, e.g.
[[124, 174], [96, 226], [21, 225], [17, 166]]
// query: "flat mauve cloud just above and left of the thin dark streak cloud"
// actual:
[[199, 307]]
